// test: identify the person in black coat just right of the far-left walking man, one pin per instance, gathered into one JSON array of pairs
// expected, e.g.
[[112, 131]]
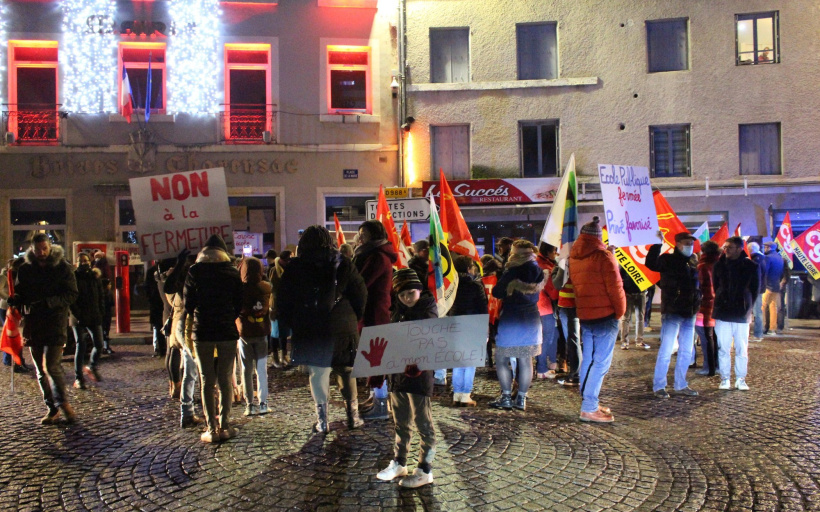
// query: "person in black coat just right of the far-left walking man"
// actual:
[[88, 310]]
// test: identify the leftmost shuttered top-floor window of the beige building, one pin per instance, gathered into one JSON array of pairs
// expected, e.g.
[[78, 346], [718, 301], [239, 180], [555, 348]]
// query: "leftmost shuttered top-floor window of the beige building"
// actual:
[[449, 55]]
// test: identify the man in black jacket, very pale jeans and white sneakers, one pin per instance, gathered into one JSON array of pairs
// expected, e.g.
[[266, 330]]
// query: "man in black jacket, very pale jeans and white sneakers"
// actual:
[[735, 278]]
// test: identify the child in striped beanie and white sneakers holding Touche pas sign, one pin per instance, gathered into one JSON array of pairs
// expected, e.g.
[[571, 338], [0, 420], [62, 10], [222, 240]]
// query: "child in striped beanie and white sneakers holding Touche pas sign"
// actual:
[[411, 391]]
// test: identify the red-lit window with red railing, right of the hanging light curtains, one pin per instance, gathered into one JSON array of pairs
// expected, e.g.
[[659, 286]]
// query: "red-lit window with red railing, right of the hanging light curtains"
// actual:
[[248, 109]]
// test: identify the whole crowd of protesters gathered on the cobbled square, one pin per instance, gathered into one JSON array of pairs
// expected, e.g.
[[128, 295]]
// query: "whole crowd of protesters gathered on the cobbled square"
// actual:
[[551, 317]]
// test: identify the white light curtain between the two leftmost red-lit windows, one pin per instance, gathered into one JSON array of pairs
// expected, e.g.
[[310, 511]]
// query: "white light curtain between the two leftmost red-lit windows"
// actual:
[[88, 56]]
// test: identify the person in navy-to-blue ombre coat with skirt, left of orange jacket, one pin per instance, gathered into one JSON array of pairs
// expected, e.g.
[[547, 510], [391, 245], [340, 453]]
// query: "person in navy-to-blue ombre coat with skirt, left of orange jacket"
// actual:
[[519, 325]]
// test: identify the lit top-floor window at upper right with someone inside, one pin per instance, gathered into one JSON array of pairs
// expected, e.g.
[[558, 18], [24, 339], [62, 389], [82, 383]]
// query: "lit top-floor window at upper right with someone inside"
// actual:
[[758, 38]]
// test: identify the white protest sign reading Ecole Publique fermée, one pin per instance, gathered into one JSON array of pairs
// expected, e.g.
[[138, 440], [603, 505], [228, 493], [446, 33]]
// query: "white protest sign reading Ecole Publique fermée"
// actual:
[[631, 217]]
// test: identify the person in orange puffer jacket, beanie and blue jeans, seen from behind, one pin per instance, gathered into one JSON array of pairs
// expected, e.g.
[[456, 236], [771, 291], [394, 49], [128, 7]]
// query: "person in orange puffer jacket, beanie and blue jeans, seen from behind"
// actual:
[[600, 303]]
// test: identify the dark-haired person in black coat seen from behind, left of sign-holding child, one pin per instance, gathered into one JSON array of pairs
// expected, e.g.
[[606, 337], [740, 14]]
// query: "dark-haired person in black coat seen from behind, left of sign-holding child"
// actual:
[[322, 298]]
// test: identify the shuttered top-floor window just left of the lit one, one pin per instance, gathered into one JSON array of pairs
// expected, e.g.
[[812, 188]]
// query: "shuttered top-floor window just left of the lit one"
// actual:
[[667, 44]]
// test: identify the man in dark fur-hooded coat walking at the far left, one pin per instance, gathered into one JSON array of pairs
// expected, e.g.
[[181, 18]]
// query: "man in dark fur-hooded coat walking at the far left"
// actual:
[[44, 289]]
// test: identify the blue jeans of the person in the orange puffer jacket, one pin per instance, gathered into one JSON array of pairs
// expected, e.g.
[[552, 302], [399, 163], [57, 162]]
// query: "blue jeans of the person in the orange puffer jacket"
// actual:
[[598, 340]]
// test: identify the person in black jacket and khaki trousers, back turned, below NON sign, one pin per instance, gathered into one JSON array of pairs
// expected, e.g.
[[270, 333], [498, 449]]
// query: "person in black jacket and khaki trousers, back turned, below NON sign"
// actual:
[[213, 300]]
